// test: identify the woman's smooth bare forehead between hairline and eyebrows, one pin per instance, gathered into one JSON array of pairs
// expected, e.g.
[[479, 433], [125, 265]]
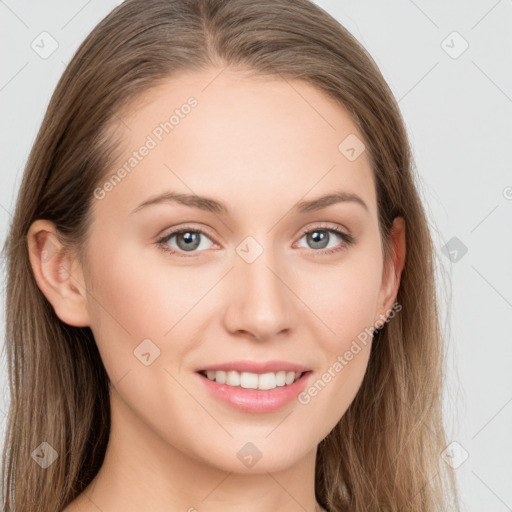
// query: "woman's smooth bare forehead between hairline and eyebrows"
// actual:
[[221, 132]]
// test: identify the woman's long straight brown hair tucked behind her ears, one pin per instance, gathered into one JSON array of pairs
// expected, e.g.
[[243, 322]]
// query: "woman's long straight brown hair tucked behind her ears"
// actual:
[[384, 454]]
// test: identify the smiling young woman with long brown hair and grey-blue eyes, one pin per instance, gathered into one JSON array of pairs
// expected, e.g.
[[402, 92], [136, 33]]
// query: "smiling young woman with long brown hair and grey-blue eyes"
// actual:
[[220, 276]]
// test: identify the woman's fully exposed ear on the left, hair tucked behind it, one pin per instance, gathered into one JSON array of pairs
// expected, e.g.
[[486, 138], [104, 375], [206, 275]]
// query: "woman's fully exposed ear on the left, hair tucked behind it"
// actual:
[[58, 274]]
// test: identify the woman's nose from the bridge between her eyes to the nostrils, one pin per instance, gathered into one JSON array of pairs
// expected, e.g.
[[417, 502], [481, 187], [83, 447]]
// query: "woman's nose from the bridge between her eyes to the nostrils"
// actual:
[[260, 302]]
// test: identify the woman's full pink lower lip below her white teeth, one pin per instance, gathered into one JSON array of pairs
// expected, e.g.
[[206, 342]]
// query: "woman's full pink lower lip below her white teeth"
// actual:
[[256, 400]]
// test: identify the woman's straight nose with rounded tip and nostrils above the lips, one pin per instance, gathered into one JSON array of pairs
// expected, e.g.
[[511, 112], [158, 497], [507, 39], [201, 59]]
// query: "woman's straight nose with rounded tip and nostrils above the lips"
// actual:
[[260, 303]]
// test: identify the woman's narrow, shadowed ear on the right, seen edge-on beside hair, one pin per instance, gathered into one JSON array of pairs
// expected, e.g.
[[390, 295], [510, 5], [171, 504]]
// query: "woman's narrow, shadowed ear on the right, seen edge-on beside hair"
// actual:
[[392, 271]]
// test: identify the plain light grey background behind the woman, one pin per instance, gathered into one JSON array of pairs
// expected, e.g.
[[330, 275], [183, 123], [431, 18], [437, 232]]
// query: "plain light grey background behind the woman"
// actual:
[[457, 105]]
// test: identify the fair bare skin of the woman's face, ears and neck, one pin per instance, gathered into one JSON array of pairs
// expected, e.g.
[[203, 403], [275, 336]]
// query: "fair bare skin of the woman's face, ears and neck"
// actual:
[[259, 145]]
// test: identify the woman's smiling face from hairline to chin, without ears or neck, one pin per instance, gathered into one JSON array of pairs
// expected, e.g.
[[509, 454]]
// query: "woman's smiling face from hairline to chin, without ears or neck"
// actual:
[[259, 274]]
